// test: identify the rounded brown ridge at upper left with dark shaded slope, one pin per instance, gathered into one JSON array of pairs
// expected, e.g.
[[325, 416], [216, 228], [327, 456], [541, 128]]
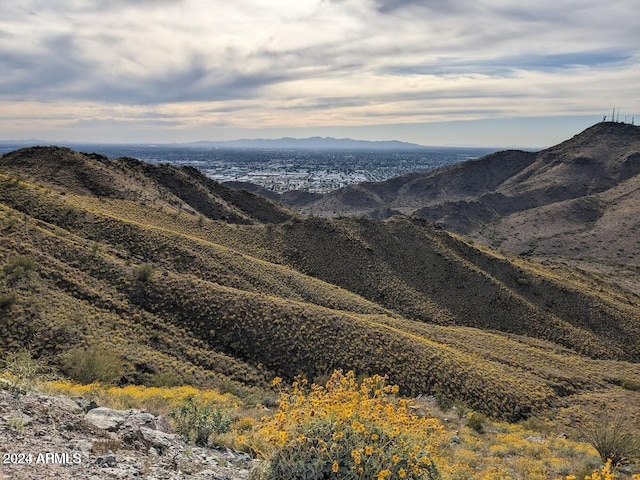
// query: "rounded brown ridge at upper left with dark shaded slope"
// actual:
[[129, 179]]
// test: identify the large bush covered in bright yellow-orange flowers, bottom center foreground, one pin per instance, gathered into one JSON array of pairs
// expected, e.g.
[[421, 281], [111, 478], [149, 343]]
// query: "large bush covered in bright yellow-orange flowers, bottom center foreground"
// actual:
[[346, 430]]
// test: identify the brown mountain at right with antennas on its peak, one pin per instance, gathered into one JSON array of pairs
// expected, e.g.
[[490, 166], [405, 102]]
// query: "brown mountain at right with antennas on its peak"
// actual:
[[576, 199]]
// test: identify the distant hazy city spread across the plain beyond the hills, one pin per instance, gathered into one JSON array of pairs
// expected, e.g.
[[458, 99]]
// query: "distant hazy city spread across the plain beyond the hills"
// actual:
[[279, 170]]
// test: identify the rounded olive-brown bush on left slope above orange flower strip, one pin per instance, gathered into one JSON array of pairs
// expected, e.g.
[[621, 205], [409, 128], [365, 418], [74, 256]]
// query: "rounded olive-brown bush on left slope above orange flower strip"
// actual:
[[97, 363]]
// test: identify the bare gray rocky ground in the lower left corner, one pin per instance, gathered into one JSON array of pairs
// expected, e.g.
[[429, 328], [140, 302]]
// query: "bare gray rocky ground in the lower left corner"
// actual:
[[46, 437]]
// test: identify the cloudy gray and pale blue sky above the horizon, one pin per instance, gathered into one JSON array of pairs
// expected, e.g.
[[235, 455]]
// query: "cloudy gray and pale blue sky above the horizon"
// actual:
[[433, 72]]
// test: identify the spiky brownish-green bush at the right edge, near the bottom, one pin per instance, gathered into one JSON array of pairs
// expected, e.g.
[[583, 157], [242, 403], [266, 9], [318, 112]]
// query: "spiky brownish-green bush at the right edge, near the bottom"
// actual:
[[614, 441]]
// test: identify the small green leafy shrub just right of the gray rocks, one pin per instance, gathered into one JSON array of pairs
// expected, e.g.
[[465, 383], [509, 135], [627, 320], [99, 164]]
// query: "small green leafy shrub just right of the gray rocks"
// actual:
[[196, 422]]
